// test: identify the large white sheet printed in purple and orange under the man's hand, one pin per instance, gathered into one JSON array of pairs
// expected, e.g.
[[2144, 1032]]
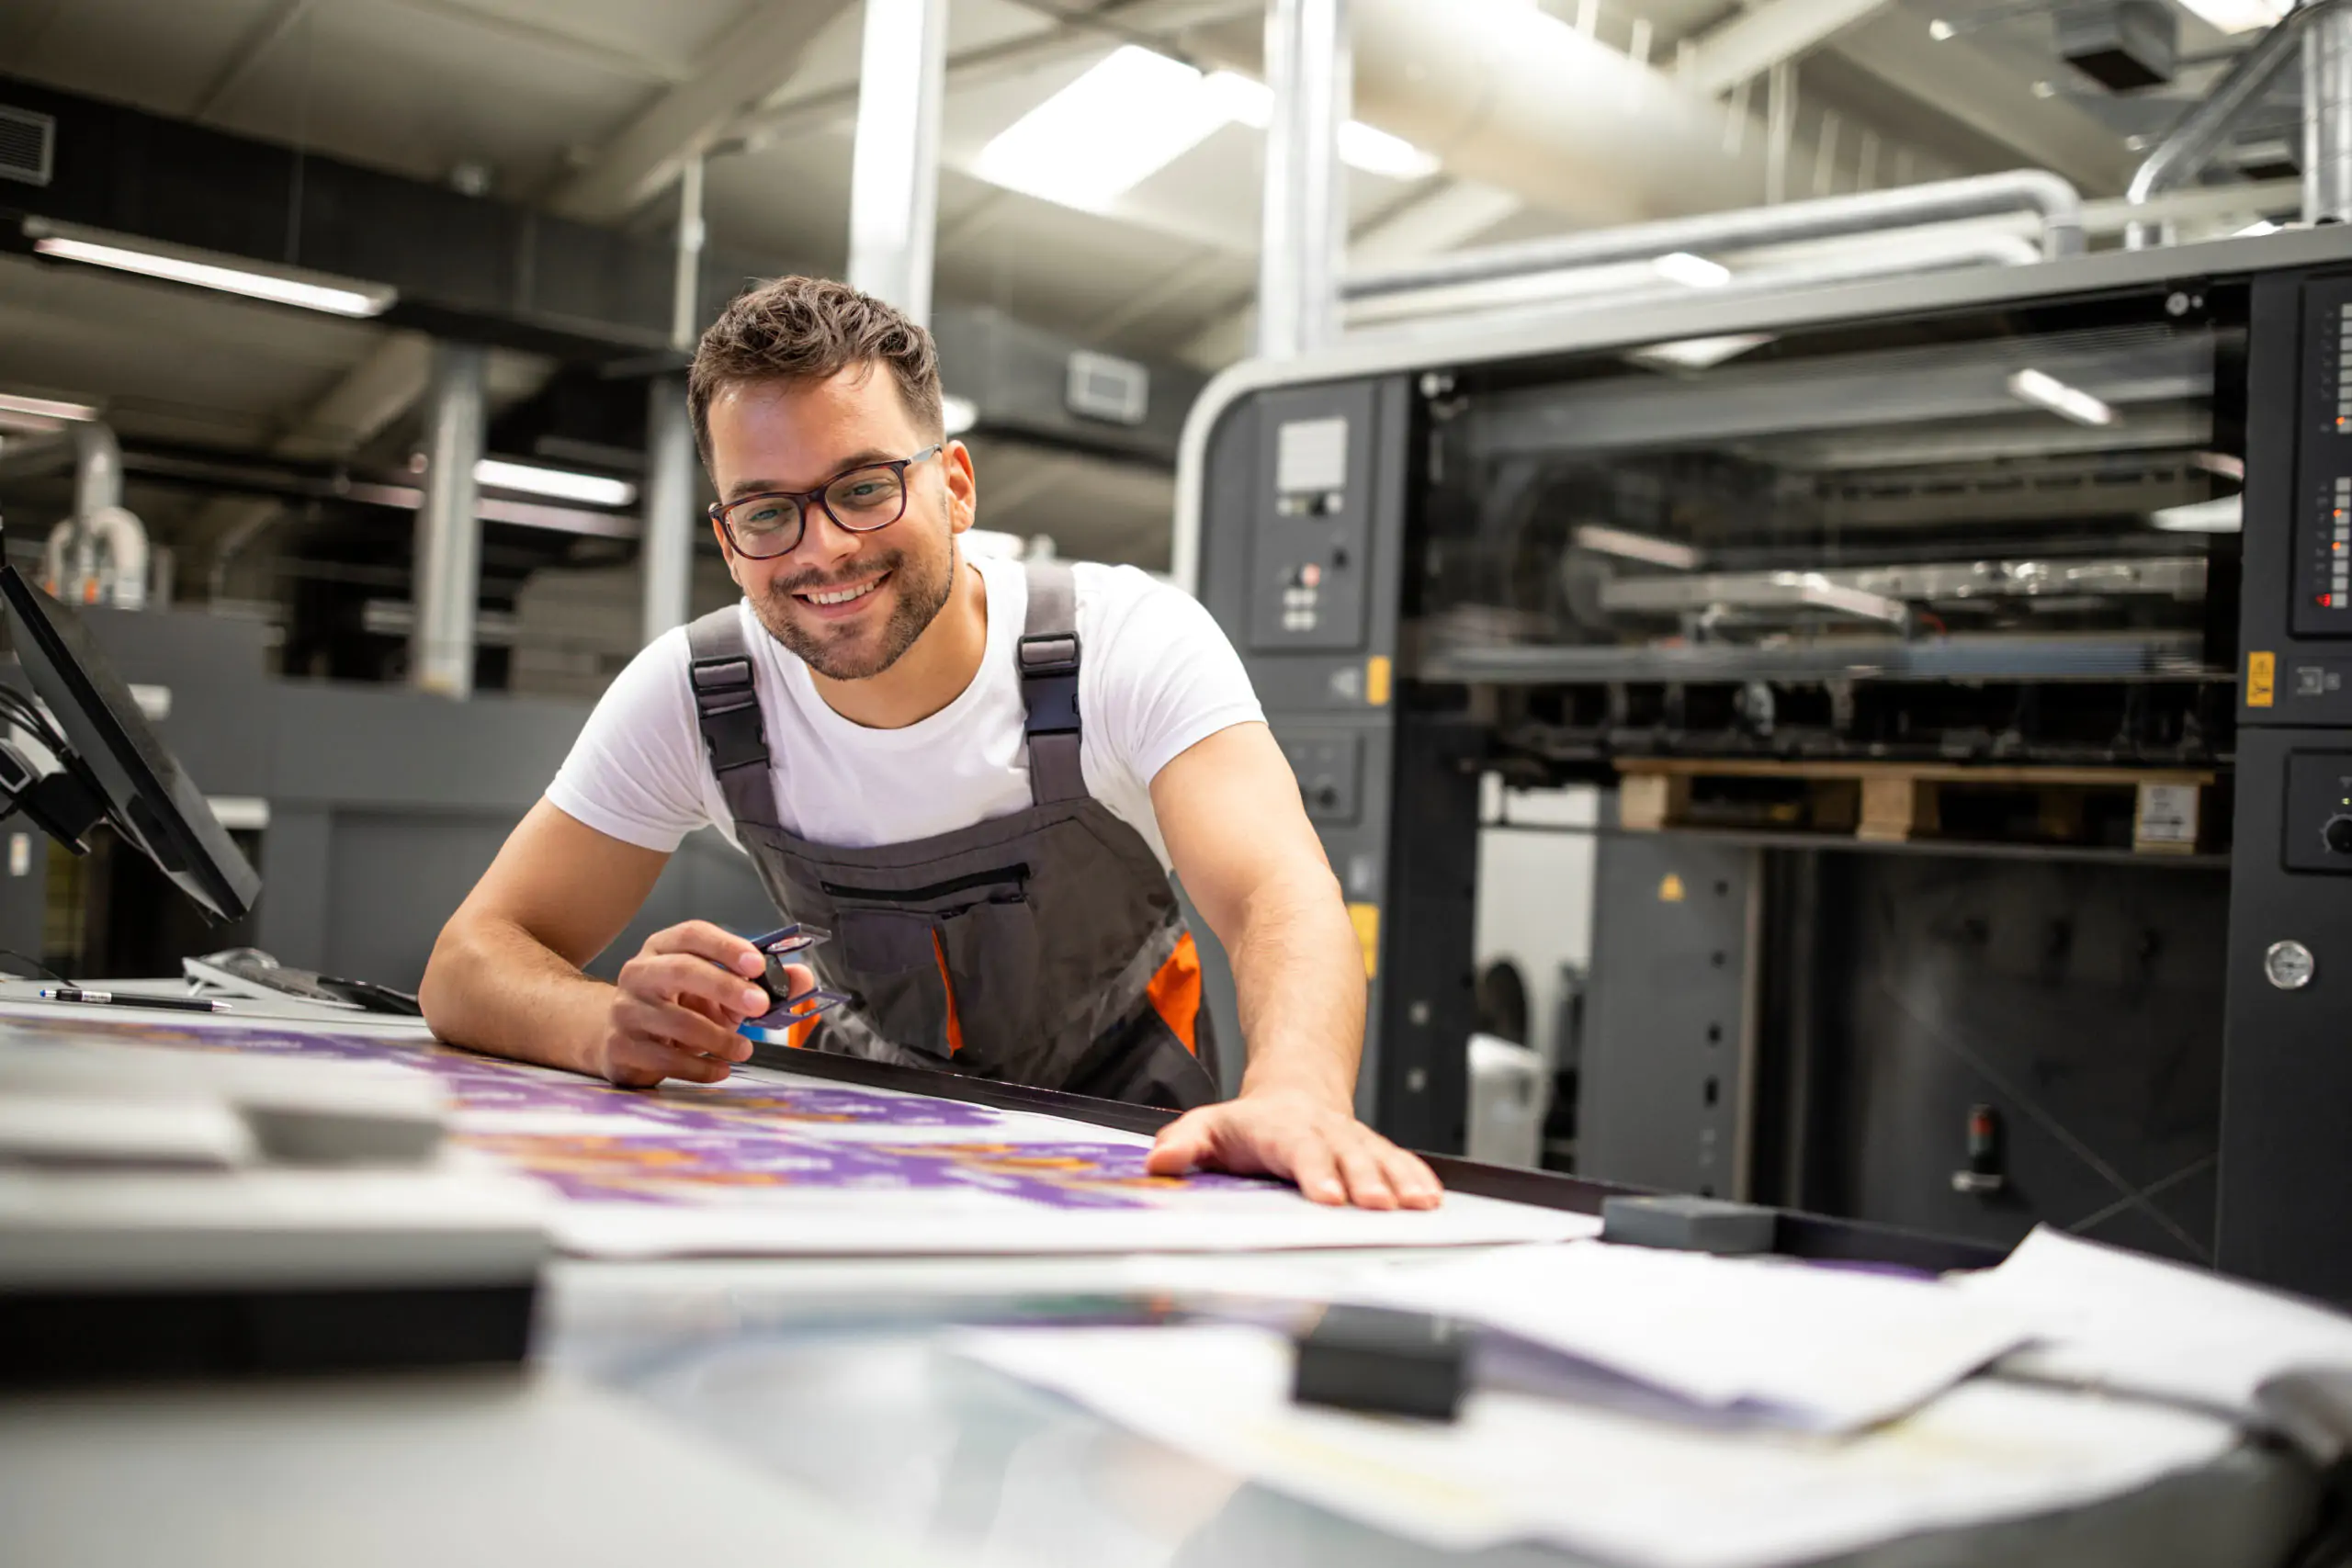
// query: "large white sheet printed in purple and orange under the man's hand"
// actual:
[[775, 1162]]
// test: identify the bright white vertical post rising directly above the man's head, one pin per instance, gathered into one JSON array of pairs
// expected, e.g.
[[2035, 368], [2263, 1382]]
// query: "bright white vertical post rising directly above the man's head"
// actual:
[[895, 161]]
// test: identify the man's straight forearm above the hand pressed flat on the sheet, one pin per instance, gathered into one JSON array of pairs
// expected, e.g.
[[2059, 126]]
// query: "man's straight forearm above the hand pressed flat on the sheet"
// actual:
[[1299, 979]]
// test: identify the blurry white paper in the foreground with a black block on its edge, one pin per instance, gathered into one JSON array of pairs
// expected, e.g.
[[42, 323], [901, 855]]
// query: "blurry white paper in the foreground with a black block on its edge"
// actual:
[[1521, 1468]]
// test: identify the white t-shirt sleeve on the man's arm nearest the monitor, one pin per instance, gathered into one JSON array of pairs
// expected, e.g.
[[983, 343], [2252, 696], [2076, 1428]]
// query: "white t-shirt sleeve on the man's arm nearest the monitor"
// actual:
[[636, 770]]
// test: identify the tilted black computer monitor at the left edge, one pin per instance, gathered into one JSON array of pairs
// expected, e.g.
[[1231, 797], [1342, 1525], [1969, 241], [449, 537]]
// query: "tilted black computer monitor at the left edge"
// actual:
[[121, 768]]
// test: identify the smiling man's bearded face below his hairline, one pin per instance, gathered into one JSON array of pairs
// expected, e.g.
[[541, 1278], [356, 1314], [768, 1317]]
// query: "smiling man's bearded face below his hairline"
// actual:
[[775, 436]]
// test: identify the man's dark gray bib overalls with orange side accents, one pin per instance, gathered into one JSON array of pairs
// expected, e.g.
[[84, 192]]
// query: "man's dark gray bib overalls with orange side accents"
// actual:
[[1041, 949]]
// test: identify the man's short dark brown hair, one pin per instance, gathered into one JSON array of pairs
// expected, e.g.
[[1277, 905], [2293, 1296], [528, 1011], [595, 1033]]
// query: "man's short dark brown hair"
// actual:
[[808, 330]]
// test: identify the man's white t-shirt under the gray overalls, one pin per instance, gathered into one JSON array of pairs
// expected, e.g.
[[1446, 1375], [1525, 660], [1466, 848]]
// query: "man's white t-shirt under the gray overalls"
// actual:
[[1156, 676]]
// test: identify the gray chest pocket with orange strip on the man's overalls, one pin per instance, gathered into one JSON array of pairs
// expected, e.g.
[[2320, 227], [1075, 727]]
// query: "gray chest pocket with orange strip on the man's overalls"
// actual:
[[944, 967]]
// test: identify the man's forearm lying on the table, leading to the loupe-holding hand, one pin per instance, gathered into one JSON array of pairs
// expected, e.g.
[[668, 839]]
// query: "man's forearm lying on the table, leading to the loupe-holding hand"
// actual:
[[493, 986]]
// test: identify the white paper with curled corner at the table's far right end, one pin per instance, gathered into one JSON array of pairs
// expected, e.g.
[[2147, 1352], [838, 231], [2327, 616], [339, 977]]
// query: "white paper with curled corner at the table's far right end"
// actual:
[[2132, 1322]]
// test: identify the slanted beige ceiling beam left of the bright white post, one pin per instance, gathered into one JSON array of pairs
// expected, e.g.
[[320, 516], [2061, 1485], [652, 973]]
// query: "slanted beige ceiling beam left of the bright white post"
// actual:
[[744, 69]]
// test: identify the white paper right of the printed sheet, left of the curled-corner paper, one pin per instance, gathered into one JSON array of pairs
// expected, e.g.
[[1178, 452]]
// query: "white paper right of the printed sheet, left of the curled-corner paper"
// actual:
[[1819, 1348]]
